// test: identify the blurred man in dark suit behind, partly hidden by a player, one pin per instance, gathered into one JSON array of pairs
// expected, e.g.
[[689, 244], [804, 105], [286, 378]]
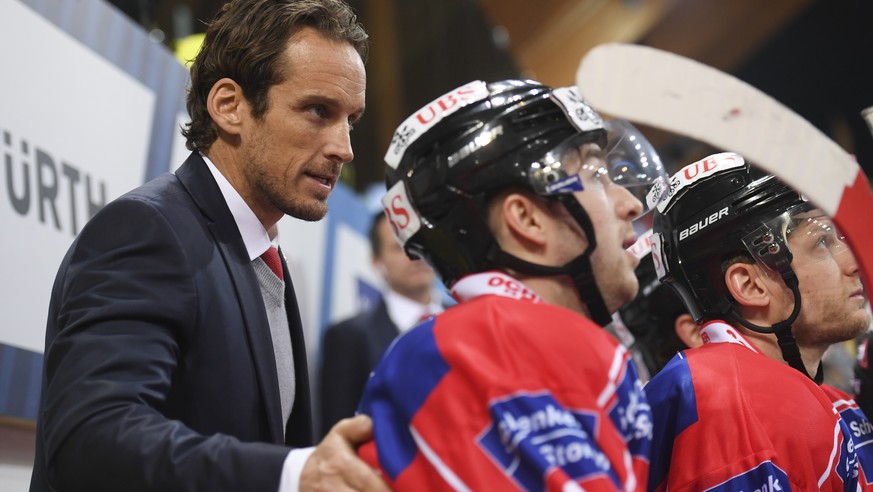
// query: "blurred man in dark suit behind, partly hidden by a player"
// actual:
[[352, 347]]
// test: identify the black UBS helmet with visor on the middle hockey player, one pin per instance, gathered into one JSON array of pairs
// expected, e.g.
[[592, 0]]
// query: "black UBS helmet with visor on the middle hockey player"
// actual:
[[448, 159]]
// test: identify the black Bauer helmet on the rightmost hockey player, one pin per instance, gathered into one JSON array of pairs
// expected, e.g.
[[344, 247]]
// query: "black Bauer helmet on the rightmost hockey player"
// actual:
[[721, 209]]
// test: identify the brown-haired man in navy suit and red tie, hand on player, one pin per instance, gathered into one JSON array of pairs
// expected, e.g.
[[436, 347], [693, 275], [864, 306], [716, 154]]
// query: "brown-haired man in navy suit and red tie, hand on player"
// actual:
[[174, 355]]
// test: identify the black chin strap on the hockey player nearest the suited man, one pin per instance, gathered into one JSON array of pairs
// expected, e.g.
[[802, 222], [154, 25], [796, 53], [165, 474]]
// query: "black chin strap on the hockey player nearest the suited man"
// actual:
[[578, 269]]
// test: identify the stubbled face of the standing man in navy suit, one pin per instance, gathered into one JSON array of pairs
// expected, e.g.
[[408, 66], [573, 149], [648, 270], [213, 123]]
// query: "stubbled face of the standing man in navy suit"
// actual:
[[293, 155]]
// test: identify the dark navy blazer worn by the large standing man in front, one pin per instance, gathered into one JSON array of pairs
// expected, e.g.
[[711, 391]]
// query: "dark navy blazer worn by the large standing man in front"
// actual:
[[159, 370]]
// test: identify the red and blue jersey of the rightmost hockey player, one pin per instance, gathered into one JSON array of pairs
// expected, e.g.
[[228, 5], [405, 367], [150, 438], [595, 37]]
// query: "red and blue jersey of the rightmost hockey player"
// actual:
[[726, 417]]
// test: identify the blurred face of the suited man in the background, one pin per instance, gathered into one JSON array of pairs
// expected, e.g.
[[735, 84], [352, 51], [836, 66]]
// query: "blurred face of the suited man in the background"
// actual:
[[411, 278]]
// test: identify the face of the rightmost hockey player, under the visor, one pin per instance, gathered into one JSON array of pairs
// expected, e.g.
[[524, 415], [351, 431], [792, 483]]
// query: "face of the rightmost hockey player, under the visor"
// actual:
[[832, 296]]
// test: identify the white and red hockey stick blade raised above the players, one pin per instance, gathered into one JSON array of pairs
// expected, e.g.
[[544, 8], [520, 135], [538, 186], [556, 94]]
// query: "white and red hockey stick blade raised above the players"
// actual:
[[667, 91]]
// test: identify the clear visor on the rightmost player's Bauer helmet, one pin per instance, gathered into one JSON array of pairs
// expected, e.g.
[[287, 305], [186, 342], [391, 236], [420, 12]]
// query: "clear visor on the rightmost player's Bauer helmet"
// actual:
[[809, 234]]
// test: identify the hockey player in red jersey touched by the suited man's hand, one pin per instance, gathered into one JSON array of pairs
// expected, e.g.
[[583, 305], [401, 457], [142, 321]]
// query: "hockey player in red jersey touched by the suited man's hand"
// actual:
[[520, 200]]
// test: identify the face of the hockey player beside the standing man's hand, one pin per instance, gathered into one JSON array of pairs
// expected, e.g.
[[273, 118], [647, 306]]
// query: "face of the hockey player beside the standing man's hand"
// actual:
[[611, 209]]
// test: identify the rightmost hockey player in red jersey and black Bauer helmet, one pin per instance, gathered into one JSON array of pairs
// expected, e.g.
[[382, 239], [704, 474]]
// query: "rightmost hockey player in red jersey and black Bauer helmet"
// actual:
[[772, 281]]
